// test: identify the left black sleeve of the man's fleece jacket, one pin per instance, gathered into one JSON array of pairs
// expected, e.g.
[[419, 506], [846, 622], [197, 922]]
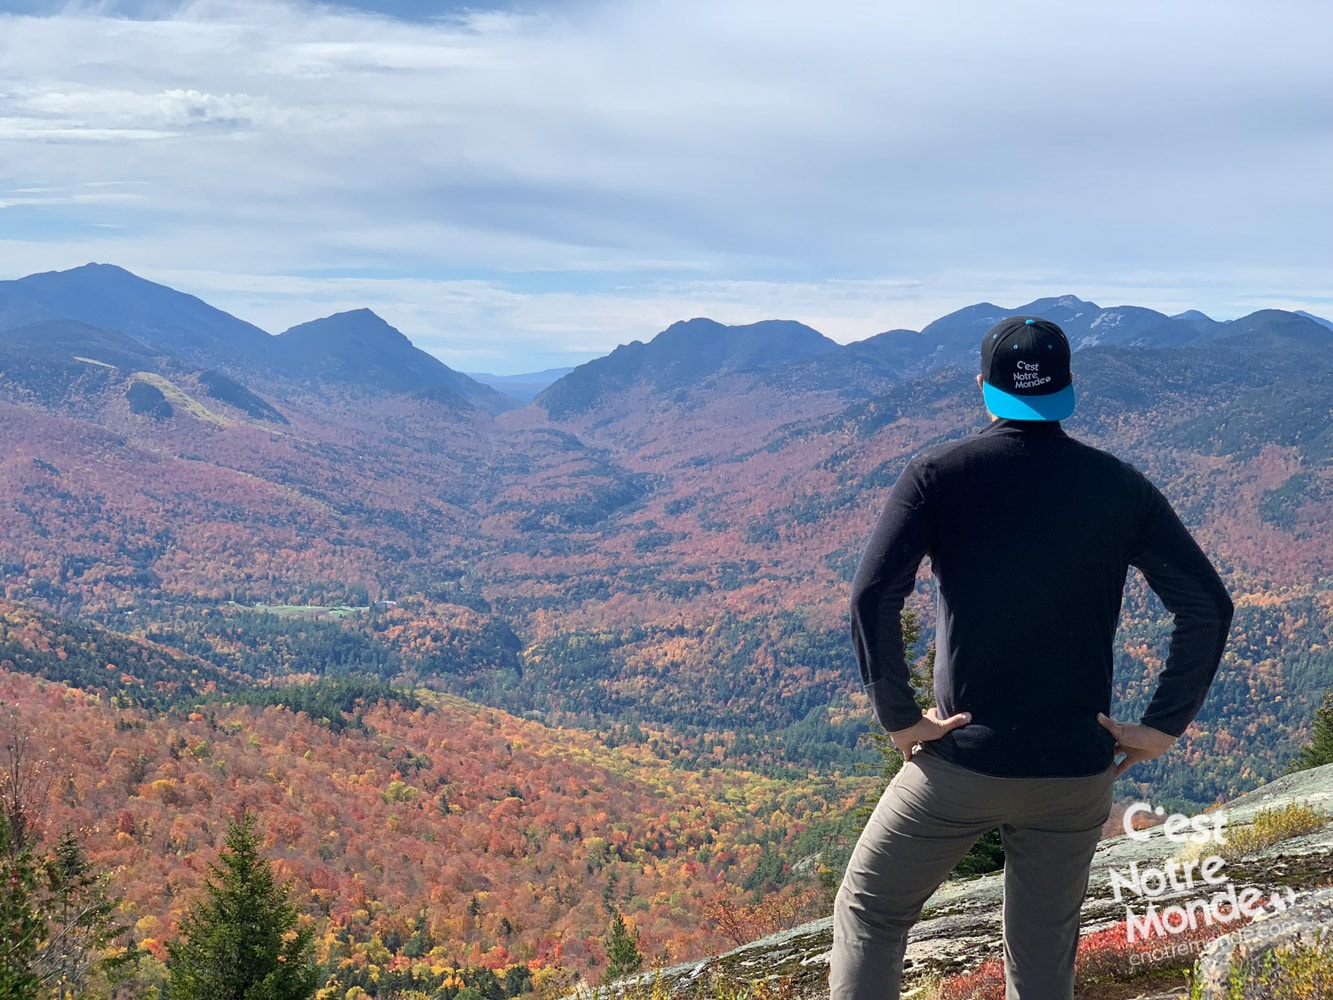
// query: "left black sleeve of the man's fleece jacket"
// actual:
[[883, 582]]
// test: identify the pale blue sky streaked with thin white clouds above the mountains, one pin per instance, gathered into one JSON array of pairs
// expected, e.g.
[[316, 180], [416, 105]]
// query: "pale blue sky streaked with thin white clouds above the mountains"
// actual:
[[523, 186]]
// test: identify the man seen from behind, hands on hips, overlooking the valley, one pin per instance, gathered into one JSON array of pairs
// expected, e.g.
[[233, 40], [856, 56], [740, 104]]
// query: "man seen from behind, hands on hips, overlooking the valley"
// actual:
[[1030, 534]]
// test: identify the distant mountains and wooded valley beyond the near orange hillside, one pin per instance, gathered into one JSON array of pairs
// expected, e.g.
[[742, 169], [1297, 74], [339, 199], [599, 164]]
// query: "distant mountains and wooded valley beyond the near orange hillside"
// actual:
[[668, 531]]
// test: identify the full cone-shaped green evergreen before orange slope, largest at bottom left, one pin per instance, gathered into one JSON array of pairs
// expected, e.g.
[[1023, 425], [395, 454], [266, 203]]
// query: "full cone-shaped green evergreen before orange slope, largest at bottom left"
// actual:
[[242, 942]]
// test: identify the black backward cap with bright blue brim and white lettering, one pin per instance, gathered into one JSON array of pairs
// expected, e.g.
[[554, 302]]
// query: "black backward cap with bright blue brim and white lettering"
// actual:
[[1026, 367]]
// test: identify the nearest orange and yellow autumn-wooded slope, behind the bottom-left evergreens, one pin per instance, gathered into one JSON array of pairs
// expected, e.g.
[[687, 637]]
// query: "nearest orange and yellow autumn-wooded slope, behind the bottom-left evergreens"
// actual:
[[429, 842]]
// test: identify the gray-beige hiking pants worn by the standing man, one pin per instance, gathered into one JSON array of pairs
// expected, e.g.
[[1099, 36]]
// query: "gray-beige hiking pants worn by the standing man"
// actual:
[[928, 818]]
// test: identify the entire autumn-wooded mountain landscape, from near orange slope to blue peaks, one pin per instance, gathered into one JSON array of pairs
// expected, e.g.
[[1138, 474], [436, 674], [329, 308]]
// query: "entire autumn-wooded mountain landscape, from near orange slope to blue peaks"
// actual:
[[613, 601]]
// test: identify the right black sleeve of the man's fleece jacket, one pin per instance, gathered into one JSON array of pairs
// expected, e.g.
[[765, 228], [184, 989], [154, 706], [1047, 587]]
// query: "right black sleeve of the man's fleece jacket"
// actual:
[[1188, 585]]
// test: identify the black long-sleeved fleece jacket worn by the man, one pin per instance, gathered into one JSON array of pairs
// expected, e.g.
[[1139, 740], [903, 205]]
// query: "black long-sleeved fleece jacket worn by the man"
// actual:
[[1031, 535]]
